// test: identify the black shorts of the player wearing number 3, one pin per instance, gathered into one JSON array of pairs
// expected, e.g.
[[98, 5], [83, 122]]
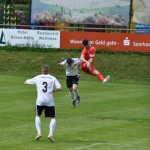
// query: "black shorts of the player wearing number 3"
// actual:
[[48, 110]]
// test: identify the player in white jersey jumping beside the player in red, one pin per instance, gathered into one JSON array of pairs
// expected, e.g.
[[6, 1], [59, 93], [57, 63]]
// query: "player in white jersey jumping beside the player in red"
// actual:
[[72, 78]]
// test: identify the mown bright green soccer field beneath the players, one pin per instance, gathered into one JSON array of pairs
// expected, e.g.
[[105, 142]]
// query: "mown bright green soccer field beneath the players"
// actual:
[[111, 116]]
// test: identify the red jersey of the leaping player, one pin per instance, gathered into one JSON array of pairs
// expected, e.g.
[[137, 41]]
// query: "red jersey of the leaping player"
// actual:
[[89, 54]]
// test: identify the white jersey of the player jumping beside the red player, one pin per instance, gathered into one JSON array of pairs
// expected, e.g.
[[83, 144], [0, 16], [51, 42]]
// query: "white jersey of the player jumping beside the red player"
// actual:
[[73, 70]]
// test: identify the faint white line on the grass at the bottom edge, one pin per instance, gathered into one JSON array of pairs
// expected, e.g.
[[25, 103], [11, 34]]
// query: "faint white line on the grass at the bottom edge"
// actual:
[[83, 147]]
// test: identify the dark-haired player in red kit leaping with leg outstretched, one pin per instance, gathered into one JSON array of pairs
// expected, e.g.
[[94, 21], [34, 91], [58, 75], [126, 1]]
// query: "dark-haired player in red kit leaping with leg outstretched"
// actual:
[[87, 57]]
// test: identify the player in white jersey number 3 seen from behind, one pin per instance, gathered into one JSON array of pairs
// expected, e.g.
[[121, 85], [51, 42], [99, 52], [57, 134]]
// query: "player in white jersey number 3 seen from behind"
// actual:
[[46, 84]]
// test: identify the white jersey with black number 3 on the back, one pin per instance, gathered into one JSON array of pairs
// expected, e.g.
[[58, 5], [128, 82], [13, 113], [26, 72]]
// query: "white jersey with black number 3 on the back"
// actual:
[[45, 85]]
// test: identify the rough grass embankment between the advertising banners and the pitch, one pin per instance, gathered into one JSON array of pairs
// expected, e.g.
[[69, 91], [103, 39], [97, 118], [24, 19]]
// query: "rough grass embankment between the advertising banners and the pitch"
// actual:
[[27, 62]]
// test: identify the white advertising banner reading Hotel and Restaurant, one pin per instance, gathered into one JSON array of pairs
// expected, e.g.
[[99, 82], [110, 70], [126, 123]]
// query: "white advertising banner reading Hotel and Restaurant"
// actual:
[[30, 38]]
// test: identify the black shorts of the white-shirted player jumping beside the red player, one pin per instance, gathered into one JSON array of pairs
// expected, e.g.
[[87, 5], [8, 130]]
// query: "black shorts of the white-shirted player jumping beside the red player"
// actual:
[[70, 80]]
